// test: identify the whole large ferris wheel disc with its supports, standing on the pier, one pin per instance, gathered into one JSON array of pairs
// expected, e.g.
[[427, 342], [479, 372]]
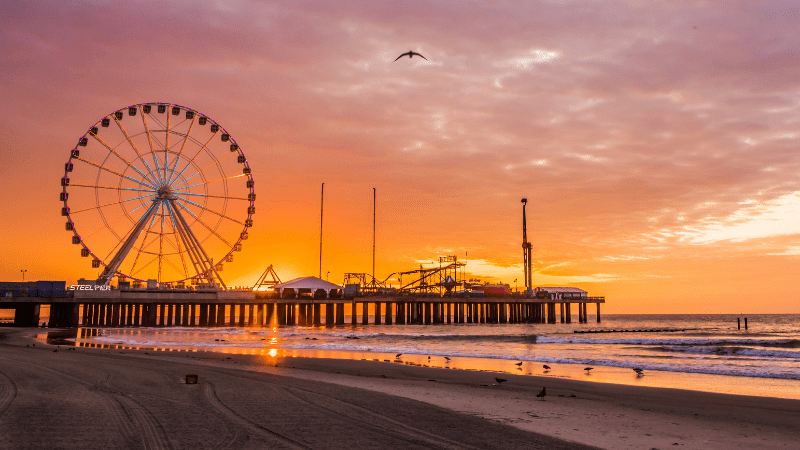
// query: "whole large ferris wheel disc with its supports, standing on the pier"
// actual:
[[158, 191]]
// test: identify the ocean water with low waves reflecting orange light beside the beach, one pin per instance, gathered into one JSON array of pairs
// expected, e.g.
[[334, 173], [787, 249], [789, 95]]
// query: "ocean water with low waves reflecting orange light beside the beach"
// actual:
[[708, 352]]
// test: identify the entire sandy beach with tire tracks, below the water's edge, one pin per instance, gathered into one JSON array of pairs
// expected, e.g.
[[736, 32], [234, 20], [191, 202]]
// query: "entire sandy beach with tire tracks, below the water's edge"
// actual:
[[105, 398]]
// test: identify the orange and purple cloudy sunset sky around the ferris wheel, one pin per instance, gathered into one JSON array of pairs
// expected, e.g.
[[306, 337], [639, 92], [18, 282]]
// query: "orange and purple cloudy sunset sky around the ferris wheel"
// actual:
[[656, 142]]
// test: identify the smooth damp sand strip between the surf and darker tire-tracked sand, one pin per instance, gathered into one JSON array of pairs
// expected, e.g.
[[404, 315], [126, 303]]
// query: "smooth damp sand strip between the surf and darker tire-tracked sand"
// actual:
[[601, 414]]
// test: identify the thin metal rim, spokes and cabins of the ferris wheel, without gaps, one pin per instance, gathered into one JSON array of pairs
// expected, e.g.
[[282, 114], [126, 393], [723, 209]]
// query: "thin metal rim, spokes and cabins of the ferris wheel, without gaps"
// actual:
[[149, 180]]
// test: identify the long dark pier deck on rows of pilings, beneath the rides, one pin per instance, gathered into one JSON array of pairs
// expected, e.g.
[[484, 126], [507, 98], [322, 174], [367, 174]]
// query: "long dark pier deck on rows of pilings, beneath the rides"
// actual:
[[229, 308]]
